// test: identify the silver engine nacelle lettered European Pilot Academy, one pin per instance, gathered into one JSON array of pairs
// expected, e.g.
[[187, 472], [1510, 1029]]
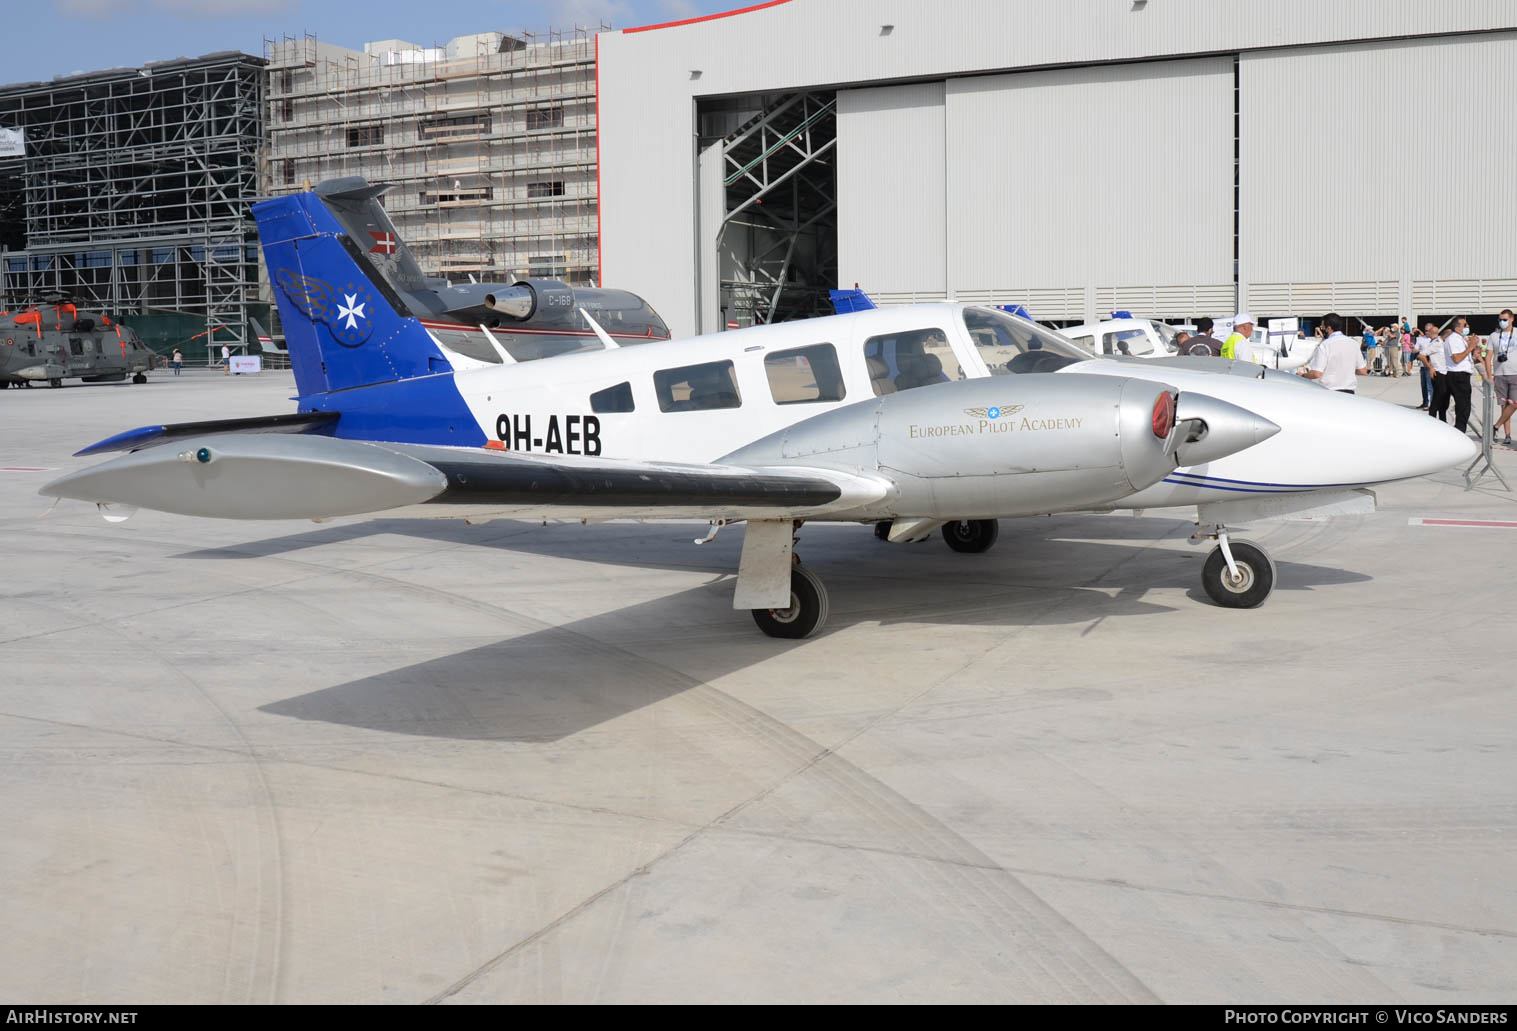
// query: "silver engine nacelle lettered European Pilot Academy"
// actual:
[[1002, 447]]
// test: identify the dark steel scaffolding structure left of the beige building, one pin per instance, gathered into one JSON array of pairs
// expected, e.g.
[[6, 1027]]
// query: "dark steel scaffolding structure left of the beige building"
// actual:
[[134, 190]]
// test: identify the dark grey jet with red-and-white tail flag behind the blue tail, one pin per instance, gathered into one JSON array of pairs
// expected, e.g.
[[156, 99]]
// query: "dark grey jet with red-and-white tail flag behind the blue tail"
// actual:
[[497, 324]]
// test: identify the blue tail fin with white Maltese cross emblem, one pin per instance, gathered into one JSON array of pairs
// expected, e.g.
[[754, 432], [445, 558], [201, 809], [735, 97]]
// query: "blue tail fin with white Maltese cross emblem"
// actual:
[[345, 324]]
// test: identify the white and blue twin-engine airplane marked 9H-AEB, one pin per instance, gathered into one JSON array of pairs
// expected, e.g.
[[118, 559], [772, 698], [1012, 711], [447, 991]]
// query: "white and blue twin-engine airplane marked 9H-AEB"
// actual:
[[912, 419]]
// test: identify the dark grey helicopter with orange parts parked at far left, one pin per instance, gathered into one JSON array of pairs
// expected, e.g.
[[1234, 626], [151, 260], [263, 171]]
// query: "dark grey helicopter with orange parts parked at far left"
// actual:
[[55, 342]]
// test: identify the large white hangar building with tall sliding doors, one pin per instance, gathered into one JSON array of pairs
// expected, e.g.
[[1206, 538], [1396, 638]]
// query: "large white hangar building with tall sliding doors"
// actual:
[[1167, 157]]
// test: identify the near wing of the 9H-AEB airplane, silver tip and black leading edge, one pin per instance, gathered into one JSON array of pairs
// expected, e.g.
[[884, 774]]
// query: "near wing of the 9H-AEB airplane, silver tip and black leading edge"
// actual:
[[283, 475]]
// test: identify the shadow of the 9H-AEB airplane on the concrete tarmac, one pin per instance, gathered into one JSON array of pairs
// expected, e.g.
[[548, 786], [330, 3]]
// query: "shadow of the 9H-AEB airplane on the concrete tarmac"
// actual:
[[547, 683]]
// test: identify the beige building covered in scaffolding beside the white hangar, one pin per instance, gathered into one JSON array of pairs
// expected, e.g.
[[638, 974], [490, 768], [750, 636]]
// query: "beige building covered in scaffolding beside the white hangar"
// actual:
[[489, 145]]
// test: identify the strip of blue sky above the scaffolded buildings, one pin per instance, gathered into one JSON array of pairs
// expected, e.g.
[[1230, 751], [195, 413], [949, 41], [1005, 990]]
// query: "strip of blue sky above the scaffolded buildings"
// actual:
[[66, 37]]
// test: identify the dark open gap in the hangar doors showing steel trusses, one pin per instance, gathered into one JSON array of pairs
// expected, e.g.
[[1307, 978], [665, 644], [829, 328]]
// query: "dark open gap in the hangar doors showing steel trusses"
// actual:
[[768, 208]]
